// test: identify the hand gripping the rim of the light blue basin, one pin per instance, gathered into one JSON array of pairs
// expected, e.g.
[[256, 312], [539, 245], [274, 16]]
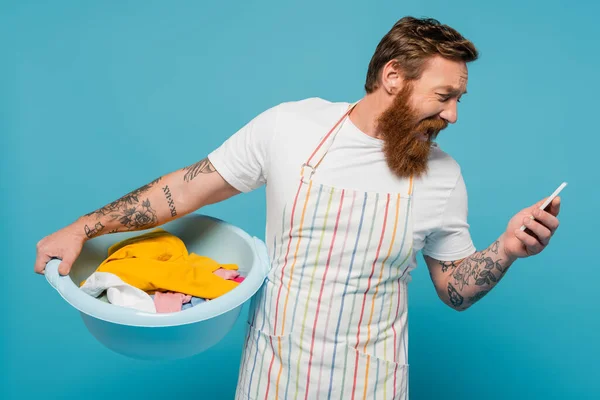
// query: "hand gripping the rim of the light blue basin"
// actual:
[[65, 244]]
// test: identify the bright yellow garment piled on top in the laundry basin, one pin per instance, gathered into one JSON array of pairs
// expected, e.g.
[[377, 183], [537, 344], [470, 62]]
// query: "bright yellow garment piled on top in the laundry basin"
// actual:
[[159, 261]]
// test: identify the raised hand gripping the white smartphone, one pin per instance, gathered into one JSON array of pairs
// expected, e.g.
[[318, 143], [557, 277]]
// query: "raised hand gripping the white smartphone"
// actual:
[[535, 238]]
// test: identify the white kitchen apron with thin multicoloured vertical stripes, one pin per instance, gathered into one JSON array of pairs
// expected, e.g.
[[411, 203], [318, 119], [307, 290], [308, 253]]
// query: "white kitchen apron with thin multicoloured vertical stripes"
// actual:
[[330, 321]]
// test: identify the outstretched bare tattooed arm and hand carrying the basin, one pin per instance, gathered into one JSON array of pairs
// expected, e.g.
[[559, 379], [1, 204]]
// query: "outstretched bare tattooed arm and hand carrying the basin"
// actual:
[[160, 201]]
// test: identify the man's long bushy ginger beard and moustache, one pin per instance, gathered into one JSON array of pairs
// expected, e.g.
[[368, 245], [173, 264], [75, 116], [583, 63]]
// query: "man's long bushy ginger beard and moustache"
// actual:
[[405, 152]]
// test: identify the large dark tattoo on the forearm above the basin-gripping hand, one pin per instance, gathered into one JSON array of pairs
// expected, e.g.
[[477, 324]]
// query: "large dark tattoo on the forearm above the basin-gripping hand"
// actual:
[[130, 210]]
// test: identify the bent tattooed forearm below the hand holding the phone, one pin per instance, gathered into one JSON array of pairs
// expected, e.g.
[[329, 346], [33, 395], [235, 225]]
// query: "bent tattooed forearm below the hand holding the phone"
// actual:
[[462, 283]]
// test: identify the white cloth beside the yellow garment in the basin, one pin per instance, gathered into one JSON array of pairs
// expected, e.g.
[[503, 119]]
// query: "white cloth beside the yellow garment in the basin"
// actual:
[[118, 292]]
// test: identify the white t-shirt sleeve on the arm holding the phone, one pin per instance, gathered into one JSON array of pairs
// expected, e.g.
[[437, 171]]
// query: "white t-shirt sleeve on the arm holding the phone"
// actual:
[[452, 240]]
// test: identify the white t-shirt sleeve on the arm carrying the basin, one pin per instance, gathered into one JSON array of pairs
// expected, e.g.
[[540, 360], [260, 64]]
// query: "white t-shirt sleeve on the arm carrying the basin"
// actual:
[[242, 160]]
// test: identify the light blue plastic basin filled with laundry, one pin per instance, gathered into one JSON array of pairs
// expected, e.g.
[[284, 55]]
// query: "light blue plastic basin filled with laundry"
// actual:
[[175, 335]]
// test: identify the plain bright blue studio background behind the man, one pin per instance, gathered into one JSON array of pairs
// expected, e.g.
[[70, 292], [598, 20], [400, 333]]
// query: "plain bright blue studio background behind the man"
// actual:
[[98, 98]]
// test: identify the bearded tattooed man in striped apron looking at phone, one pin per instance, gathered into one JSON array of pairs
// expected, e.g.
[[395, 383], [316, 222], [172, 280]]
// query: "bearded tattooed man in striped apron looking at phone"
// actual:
[[354, 191]]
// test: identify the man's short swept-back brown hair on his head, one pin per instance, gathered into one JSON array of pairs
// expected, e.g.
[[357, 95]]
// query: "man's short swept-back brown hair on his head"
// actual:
[[412, 42]]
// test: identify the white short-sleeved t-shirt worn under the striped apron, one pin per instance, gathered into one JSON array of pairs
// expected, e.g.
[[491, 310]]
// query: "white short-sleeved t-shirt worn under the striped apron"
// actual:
[[271, 148]]
